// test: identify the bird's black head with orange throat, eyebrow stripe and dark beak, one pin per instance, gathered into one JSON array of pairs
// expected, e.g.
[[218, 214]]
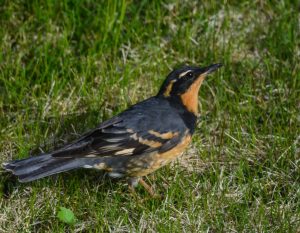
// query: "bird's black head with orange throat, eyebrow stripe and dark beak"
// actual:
[[184, 83]]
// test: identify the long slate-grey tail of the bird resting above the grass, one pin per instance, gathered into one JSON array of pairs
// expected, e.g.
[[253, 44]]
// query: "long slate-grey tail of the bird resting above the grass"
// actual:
[[37, 167]]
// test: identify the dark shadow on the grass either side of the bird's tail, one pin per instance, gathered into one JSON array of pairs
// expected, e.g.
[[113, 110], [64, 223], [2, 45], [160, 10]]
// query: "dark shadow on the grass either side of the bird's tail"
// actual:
[[63, 130]]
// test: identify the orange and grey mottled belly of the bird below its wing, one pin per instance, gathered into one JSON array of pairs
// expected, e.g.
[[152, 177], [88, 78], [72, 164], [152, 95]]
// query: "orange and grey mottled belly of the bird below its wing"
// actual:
[[143, 165]]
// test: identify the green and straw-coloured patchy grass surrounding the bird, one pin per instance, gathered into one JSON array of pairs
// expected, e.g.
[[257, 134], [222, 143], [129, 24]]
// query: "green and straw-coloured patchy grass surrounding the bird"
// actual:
[[65, 66]]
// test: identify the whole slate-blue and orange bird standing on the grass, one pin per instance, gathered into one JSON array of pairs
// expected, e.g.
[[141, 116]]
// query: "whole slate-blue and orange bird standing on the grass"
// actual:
[[134, 143]]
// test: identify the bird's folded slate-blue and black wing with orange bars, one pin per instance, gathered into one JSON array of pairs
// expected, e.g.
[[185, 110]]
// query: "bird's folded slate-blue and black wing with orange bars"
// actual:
[[144, 128]]
